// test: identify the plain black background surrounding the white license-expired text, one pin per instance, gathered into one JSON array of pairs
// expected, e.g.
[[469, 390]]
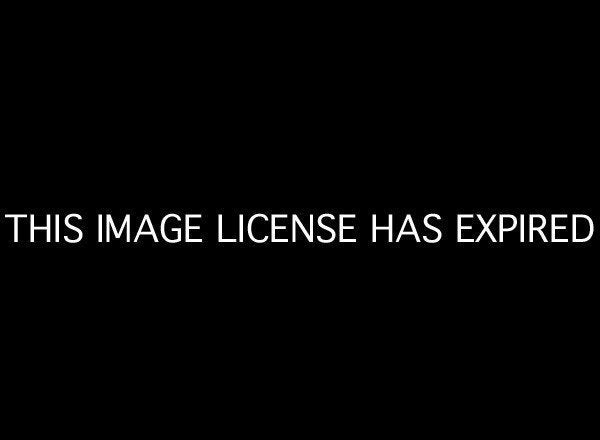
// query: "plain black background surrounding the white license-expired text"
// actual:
[[368, 113]]
